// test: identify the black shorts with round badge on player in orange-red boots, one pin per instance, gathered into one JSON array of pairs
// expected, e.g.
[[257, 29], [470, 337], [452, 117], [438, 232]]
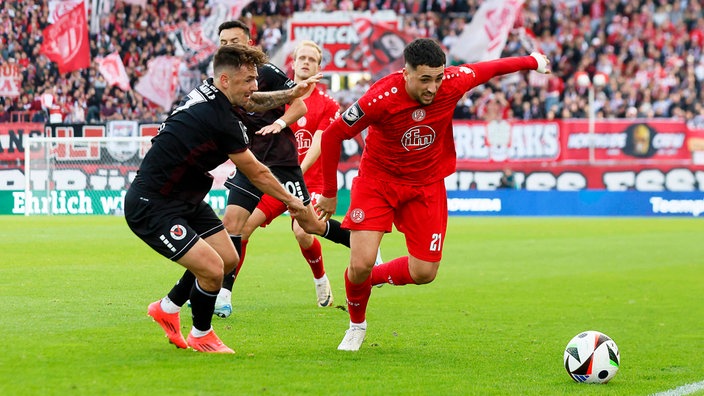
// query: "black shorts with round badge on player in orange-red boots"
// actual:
[[171, 227]]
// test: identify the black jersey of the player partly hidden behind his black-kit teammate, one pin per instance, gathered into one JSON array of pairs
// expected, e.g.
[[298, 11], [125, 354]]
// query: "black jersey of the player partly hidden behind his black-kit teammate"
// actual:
[[274, 149]]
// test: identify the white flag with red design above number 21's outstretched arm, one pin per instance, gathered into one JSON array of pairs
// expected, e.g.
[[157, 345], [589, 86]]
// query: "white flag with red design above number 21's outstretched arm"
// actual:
[[485, 37]]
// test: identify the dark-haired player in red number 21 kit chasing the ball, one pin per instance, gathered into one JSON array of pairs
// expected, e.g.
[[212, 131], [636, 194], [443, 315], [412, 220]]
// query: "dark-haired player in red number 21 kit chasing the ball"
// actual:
[[409, 151]]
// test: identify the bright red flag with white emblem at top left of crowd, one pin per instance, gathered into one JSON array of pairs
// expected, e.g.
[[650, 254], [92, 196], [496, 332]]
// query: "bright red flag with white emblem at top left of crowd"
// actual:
[[66, 41]]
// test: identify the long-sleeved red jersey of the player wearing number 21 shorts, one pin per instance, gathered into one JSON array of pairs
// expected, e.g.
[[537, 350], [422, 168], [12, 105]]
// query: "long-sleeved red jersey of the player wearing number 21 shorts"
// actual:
[[408, 143]]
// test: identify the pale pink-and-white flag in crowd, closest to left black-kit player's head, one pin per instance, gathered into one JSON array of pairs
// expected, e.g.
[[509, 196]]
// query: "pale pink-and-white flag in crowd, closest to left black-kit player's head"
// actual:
[[160, 84]]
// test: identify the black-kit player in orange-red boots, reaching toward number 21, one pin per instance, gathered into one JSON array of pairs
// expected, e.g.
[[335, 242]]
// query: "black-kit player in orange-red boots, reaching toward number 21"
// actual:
[[164, 205]]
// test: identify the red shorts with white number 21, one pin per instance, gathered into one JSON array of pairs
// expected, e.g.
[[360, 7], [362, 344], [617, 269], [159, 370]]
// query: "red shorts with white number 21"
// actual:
[[419, 212]]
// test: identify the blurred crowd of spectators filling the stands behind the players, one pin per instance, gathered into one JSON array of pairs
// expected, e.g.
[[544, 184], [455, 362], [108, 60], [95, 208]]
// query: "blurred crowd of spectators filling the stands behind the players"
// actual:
[[651, 51]]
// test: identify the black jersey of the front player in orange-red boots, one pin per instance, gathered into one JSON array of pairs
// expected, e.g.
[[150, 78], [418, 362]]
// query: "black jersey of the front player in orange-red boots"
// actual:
[[194, 139]]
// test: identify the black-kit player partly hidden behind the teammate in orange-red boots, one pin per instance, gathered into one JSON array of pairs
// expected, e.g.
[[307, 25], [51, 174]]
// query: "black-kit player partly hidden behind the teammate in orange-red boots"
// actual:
[[274, 145]]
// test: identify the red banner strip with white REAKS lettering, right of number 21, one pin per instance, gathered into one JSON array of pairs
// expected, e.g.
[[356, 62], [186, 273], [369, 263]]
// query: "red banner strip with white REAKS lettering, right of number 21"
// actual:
[[569, 141]]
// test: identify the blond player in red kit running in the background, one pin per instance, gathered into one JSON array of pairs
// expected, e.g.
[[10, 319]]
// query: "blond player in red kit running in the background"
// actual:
[[322, 110]]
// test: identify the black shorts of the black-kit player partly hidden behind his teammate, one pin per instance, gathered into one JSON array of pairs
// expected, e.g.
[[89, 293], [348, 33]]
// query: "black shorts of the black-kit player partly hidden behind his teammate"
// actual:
[[243, 193]]
